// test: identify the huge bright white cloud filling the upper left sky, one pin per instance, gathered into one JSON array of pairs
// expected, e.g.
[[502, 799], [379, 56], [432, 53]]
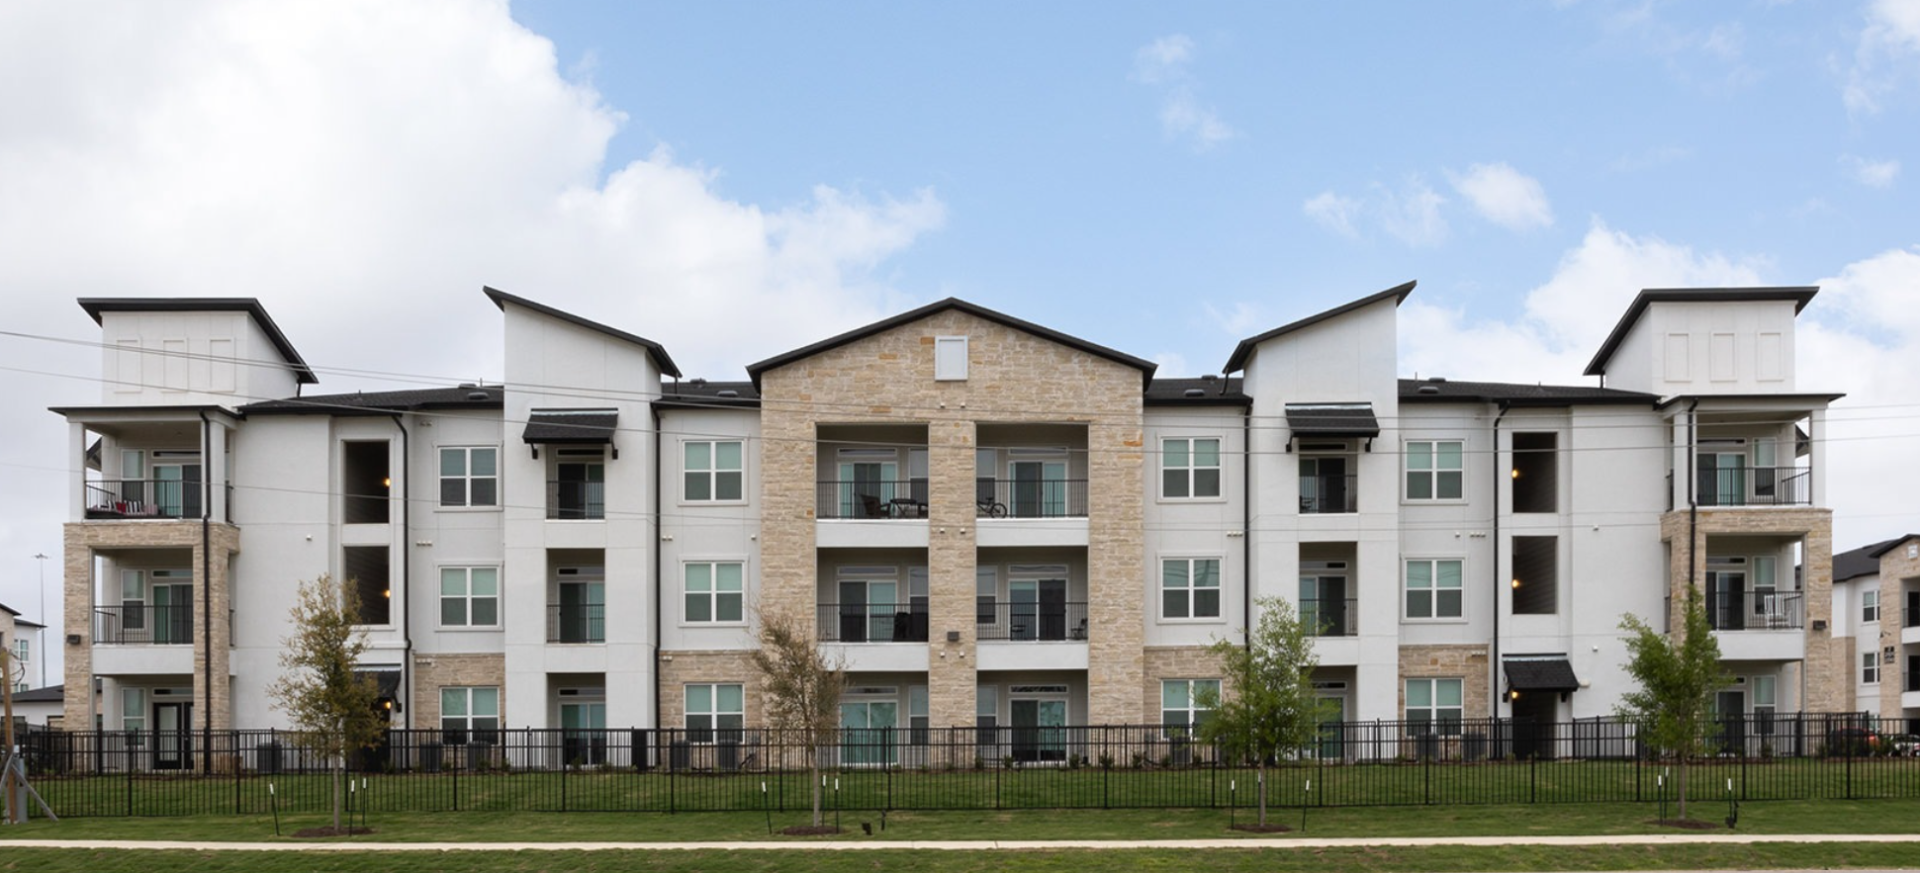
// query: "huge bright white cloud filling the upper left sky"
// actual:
[[364, 170]]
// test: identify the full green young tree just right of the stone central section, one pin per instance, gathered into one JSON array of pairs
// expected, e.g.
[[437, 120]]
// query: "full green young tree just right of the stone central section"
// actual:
[[1268, 711]]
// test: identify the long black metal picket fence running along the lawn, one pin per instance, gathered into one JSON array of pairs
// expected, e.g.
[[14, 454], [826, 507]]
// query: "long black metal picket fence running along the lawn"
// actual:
[[959, 768]]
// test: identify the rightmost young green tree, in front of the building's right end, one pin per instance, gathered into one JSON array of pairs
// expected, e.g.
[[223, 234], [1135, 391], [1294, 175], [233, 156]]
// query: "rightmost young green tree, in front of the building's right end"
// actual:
[[1679, 676]]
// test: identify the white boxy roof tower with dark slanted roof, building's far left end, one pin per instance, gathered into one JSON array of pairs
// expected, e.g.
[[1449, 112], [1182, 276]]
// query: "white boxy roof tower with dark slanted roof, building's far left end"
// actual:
[[170, 352]]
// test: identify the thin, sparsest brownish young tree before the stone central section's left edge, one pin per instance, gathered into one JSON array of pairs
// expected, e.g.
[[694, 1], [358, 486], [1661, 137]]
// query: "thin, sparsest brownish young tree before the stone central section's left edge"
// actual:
[[804, 692]]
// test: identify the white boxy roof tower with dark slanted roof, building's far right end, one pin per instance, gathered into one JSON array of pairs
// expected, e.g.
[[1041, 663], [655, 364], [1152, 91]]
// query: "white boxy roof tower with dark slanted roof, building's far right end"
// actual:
[[1704, 342]]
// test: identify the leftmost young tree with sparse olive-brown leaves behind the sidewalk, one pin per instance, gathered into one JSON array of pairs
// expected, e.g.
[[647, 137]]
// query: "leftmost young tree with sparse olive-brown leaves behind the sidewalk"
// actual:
[[329, 703]]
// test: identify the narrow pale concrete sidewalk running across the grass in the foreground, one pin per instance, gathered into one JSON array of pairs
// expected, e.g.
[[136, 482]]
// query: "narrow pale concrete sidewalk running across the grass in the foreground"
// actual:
[[867, 845]]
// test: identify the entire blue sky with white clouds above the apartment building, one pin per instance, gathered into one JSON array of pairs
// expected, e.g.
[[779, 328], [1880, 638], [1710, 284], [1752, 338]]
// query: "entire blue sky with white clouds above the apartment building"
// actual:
[[742, 179]]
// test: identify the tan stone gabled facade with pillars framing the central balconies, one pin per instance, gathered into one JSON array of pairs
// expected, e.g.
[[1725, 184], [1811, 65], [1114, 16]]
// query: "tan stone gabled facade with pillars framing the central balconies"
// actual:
[[1013, 377]]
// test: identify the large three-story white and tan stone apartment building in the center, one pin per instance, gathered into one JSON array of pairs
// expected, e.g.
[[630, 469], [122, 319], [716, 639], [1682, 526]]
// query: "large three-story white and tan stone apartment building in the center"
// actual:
[[990, 521]]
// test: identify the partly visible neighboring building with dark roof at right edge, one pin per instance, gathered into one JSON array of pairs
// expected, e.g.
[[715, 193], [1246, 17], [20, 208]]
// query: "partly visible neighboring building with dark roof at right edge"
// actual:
[[1877, 613]]
